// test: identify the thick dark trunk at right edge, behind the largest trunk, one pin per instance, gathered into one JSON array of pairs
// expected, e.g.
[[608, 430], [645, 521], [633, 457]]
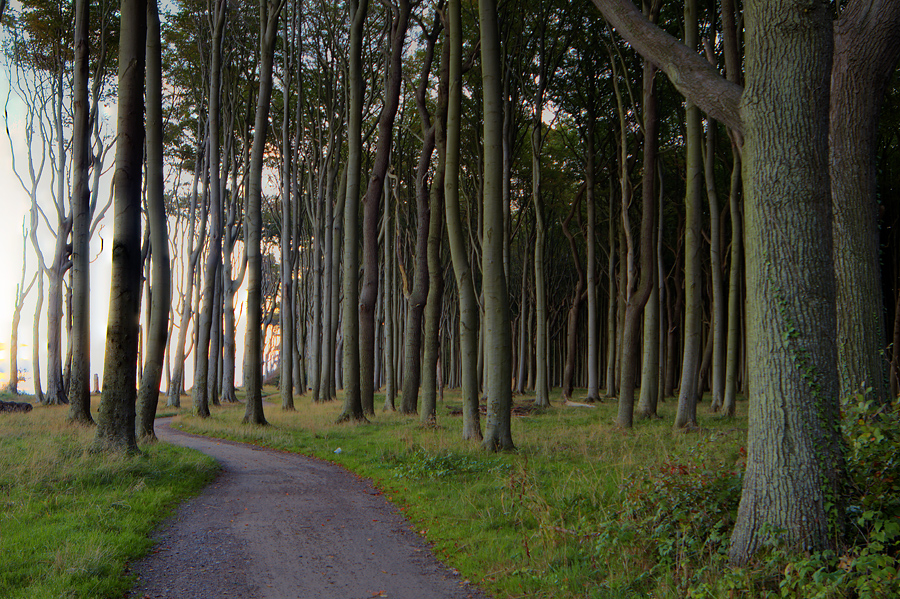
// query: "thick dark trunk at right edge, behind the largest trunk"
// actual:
[[866, 51]]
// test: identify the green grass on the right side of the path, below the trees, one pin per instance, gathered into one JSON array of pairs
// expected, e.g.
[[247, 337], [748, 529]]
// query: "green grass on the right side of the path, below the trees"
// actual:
[[532, 523]]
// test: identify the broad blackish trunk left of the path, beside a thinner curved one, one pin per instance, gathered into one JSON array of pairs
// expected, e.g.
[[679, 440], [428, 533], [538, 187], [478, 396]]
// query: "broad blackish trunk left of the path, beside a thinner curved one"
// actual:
[[115, 416]]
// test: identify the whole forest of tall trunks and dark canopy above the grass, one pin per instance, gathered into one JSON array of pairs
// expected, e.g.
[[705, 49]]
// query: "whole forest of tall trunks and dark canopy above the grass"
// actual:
[[690, 204]]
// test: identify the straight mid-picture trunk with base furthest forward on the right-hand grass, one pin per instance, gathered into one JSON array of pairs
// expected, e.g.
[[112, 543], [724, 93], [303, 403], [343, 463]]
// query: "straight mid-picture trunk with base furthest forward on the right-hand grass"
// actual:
[[496, 297]]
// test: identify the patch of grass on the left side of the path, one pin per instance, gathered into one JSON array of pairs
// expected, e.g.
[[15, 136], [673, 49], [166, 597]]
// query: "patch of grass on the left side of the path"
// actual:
[[70, 521]]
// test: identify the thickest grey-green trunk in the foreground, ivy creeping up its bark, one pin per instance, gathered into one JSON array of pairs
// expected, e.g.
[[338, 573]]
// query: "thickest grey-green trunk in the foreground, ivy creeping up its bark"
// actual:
[[795, 467]]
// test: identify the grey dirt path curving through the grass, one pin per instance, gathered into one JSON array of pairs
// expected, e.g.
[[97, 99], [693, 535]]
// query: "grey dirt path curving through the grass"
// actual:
[[282, 526]]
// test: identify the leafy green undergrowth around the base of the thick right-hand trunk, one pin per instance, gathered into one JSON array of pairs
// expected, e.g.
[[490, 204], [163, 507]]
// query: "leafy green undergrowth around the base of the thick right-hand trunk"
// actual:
[[680, 515]]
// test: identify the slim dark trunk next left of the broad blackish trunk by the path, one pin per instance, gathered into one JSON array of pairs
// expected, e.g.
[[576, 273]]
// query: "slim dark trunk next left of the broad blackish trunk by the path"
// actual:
[[80, 337]]
